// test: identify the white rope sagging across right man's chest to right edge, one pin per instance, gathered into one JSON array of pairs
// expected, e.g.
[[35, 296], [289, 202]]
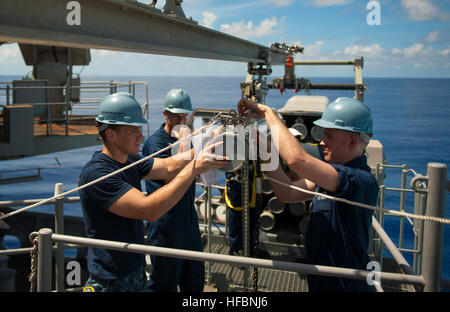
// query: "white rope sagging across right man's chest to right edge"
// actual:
[[349, 202]]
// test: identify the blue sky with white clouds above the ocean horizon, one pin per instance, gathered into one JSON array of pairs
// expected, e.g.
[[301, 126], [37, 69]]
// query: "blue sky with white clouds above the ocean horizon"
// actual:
[[412, 40]]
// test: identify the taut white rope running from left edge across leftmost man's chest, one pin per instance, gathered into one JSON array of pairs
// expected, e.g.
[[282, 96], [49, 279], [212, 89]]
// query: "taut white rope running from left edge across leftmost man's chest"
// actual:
[[12, 213]]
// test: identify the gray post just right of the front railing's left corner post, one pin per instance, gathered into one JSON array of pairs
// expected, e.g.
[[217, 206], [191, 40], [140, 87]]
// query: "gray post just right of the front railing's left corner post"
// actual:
[[59, 229]]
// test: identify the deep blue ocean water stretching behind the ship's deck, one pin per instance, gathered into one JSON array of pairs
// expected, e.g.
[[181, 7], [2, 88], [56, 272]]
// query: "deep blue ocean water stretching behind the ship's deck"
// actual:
[[411, 119]]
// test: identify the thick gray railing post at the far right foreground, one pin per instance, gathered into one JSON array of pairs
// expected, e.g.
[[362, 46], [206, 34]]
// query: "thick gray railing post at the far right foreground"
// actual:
[[433, 237]]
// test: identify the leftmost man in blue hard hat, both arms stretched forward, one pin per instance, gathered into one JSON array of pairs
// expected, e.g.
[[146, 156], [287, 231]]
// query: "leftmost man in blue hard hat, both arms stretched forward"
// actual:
[[114, 208]]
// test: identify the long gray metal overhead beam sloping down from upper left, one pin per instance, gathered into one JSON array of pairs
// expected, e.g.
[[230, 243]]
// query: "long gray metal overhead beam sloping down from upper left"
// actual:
[[101, 27]]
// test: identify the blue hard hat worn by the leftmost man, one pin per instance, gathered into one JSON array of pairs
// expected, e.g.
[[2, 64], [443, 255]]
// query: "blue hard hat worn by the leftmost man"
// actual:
[[120, 108]]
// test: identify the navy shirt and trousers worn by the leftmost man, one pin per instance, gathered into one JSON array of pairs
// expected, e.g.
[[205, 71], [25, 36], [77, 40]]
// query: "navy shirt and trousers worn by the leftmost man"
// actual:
[[112, 270]]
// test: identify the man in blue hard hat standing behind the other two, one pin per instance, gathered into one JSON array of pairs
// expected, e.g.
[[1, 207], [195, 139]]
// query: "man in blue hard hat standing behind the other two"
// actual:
[[178, 228]]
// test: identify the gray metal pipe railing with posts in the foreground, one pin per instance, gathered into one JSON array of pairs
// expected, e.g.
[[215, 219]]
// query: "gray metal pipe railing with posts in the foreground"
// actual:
[[431, 264]]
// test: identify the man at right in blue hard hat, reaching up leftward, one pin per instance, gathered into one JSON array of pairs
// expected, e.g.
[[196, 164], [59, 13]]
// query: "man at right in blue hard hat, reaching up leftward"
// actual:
[[338, 233]]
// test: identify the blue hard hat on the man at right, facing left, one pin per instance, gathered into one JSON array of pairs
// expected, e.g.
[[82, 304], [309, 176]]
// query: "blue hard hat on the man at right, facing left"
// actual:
[[347, 114]]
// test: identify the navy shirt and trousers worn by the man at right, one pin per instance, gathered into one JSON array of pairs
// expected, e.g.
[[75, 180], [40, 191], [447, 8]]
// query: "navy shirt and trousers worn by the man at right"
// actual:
[[338, 233]]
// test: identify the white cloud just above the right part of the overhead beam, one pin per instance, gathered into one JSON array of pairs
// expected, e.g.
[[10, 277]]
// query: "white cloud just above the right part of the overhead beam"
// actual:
[[248, 30]]
